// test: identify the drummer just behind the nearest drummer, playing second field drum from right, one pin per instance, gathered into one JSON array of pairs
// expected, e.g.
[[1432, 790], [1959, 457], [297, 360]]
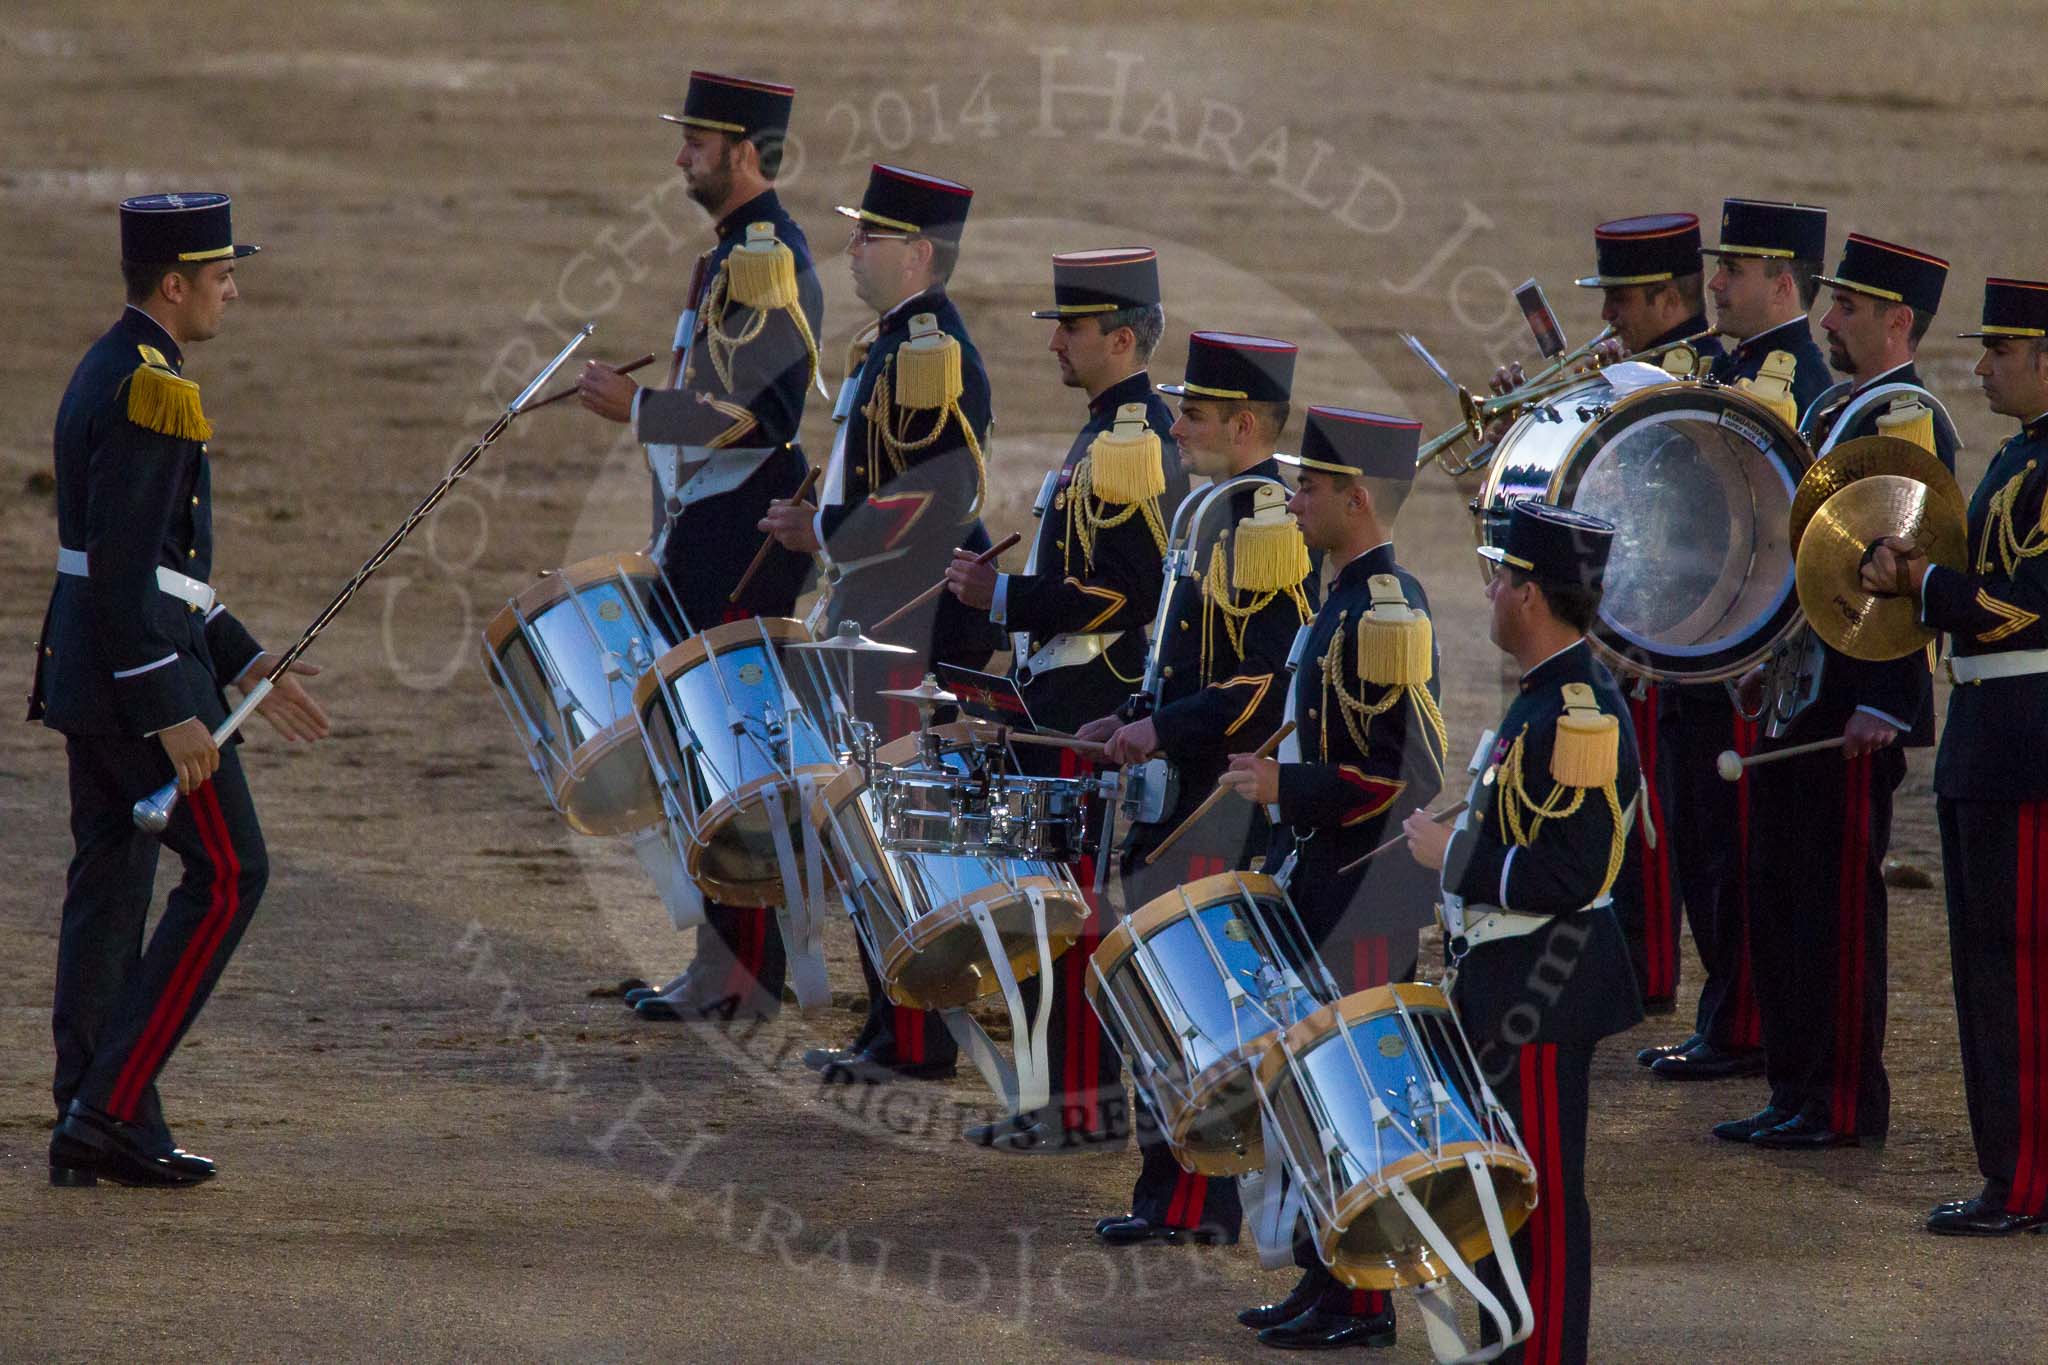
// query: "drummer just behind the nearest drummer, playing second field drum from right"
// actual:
[[1369, 750]]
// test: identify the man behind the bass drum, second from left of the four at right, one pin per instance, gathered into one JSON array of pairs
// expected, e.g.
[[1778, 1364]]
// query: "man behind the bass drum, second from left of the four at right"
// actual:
[[1764, 290]]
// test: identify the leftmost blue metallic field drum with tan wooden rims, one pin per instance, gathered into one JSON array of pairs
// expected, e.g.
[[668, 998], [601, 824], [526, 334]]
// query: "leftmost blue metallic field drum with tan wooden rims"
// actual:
[[564, 658]]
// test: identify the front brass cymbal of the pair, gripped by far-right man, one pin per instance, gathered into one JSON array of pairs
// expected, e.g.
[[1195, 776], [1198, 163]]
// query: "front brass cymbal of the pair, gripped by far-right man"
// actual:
[[1832, 558]]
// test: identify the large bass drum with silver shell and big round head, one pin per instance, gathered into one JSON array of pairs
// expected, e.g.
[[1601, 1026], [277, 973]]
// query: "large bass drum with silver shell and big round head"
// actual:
[[1699, 482]]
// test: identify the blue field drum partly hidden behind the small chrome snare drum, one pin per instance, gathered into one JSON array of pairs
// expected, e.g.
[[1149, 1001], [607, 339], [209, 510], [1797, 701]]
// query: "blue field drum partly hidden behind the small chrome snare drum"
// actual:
[[921, 910]]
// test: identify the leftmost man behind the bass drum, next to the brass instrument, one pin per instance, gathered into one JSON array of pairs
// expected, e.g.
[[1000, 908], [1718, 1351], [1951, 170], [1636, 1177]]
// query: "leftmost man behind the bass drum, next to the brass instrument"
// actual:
[[1650, 275]]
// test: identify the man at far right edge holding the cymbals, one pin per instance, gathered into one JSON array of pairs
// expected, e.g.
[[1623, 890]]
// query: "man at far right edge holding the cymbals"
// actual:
[[1992, 775]]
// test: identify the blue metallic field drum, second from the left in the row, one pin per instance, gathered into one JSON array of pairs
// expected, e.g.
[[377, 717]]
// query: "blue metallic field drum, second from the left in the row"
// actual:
[[730, 738]]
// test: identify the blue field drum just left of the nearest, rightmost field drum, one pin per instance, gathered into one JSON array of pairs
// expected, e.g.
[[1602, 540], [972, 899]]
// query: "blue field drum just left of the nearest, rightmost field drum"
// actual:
[[1164, 983]]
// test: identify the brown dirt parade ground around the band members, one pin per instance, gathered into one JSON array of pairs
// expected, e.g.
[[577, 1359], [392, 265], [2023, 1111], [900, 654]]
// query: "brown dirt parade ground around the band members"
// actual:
[[441, 1135]]
